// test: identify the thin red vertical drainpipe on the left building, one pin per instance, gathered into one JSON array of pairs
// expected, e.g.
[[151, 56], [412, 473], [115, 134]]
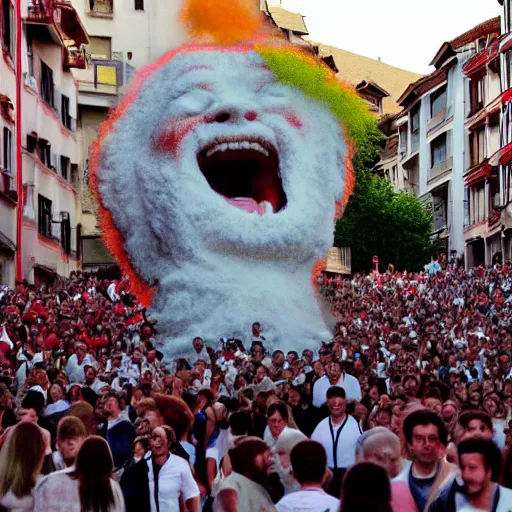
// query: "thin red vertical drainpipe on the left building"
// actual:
[[19, 170]]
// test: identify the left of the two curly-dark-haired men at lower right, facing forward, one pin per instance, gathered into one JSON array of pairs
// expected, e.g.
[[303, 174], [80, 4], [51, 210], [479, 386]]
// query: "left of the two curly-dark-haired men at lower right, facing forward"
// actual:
[[427, 474]]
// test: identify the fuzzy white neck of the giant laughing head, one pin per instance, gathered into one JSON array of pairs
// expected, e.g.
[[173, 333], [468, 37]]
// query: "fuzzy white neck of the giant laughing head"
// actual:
[[225, 300]]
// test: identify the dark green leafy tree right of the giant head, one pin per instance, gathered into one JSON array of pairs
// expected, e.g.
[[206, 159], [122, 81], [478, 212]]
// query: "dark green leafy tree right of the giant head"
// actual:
[[378, 221]]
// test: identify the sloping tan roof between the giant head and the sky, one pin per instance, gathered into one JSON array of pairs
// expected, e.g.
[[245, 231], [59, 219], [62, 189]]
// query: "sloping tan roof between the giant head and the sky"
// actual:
[[355, 69]]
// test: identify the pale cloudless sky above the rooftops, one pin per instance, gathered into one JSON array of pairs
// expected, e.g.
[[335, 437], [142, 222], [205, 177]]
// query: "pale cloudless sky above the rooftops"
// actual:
[[403, 33]]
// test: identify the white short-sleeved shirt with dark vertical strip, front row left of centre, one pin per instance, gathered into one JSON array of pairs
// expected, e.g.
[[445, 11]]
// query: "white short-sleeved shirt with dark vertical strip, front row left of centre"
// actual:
[[175, 478]]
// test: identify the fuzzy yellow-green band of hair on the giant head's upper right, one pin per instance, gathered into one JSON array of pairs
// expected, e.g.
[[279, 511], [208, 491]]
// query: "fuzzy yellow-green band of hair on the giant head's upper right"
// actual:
[[297, 69]]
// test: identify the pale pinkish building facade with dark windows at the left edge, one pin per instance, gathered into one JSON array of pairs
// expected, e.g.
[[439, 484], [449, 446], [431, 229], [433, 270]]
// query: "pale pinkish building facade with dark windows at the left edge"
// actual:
[[51, 45]]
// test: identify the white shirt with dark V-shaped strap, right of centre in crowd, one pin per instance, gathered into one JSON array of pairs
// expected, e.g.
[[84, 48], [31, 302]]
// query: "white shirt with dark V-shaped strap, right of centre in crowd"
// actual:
[[346, 449]]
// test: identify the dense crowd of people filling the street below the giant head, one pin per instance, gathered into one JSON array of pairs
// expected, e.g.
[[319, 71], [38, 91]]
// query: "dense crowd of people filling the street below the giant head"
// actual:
[[407, 408]]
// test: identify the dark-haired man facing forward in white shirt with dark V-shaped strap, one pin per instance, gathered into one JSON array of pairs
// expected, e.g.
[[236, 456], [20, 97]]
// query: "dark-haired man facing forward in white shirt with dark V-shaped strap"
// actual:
[[338, 434]]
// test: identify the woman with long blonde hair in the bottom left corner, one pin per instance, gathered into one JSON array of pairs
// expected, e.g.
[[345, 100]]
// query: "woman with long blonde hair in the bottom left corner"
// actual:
[[21, 460]]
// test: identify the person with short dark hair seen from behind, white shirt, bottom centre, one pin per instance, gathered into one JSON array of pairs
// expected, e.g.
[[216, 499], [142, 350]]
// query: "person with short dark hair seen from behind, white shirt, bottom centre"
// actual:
[[309, 465]]
